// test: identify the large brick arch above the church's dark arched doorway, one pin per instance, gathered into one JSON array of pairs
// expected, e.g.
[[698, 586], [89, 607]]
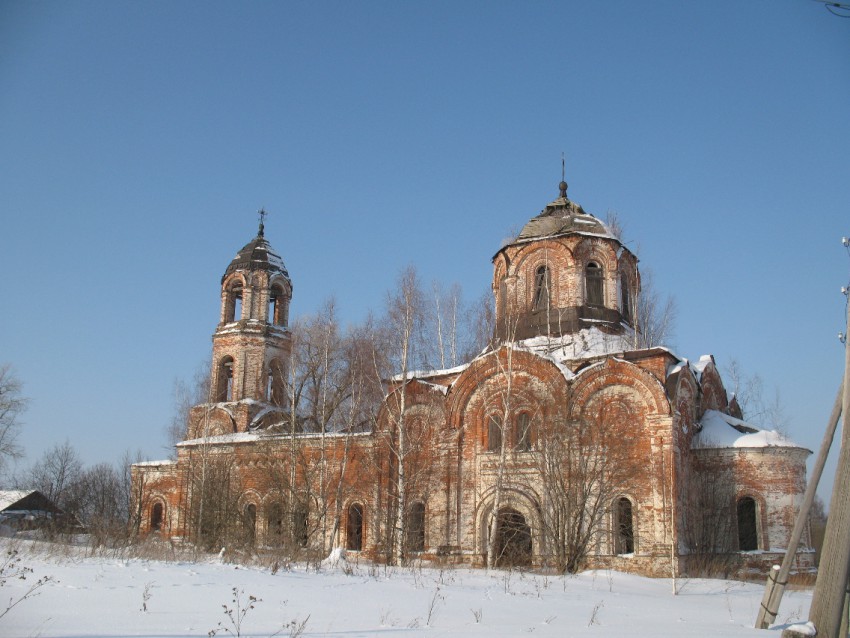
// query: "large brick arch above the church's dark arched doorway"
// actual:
[[476, 376]]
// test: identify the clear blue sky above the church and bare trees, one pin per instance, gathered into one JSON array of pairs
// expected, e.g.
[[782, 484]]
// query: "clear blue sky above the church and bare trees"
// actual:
[[139, 139]]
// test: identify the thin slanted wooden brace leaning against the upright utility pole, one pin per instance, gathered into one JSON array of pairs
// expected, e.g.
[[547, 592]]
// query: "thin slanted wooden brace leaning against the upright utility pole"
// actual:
[[776, 581]]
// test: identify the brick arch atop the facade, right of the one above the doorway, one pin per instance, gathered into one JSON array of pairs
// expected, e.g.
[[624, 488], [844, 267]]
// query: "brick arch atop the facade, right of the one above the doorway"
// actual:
[[612, 373]]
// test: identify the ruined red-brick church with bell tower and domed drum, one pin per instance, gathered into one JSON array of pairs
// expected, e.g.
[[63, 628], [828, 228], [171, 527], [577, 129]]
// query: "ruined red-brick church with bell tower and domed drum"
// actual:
[[566, 443]]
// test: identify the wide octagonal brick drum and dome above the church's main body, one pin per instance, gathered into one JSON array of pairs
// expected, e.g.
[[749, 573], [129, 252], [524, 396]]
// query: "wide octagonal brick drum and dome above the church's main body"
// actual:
[[566, 271]]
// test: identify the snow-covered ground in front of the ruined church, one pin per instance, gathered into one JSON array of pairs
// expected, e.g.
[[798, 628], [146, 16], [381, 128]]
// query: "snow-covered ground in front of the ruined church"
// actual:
[[131, 597]]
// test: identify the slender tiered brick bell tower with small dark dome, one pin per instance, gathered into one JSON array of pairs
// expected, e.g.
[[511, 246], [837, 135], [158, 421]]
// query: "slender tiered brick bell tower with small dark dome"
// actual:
[[251, 344]]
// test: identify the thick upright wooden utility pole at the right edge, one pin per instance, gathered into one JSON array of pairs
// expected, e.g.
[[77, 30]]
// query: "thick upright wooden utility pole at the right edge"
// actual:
[[828, 599]]
